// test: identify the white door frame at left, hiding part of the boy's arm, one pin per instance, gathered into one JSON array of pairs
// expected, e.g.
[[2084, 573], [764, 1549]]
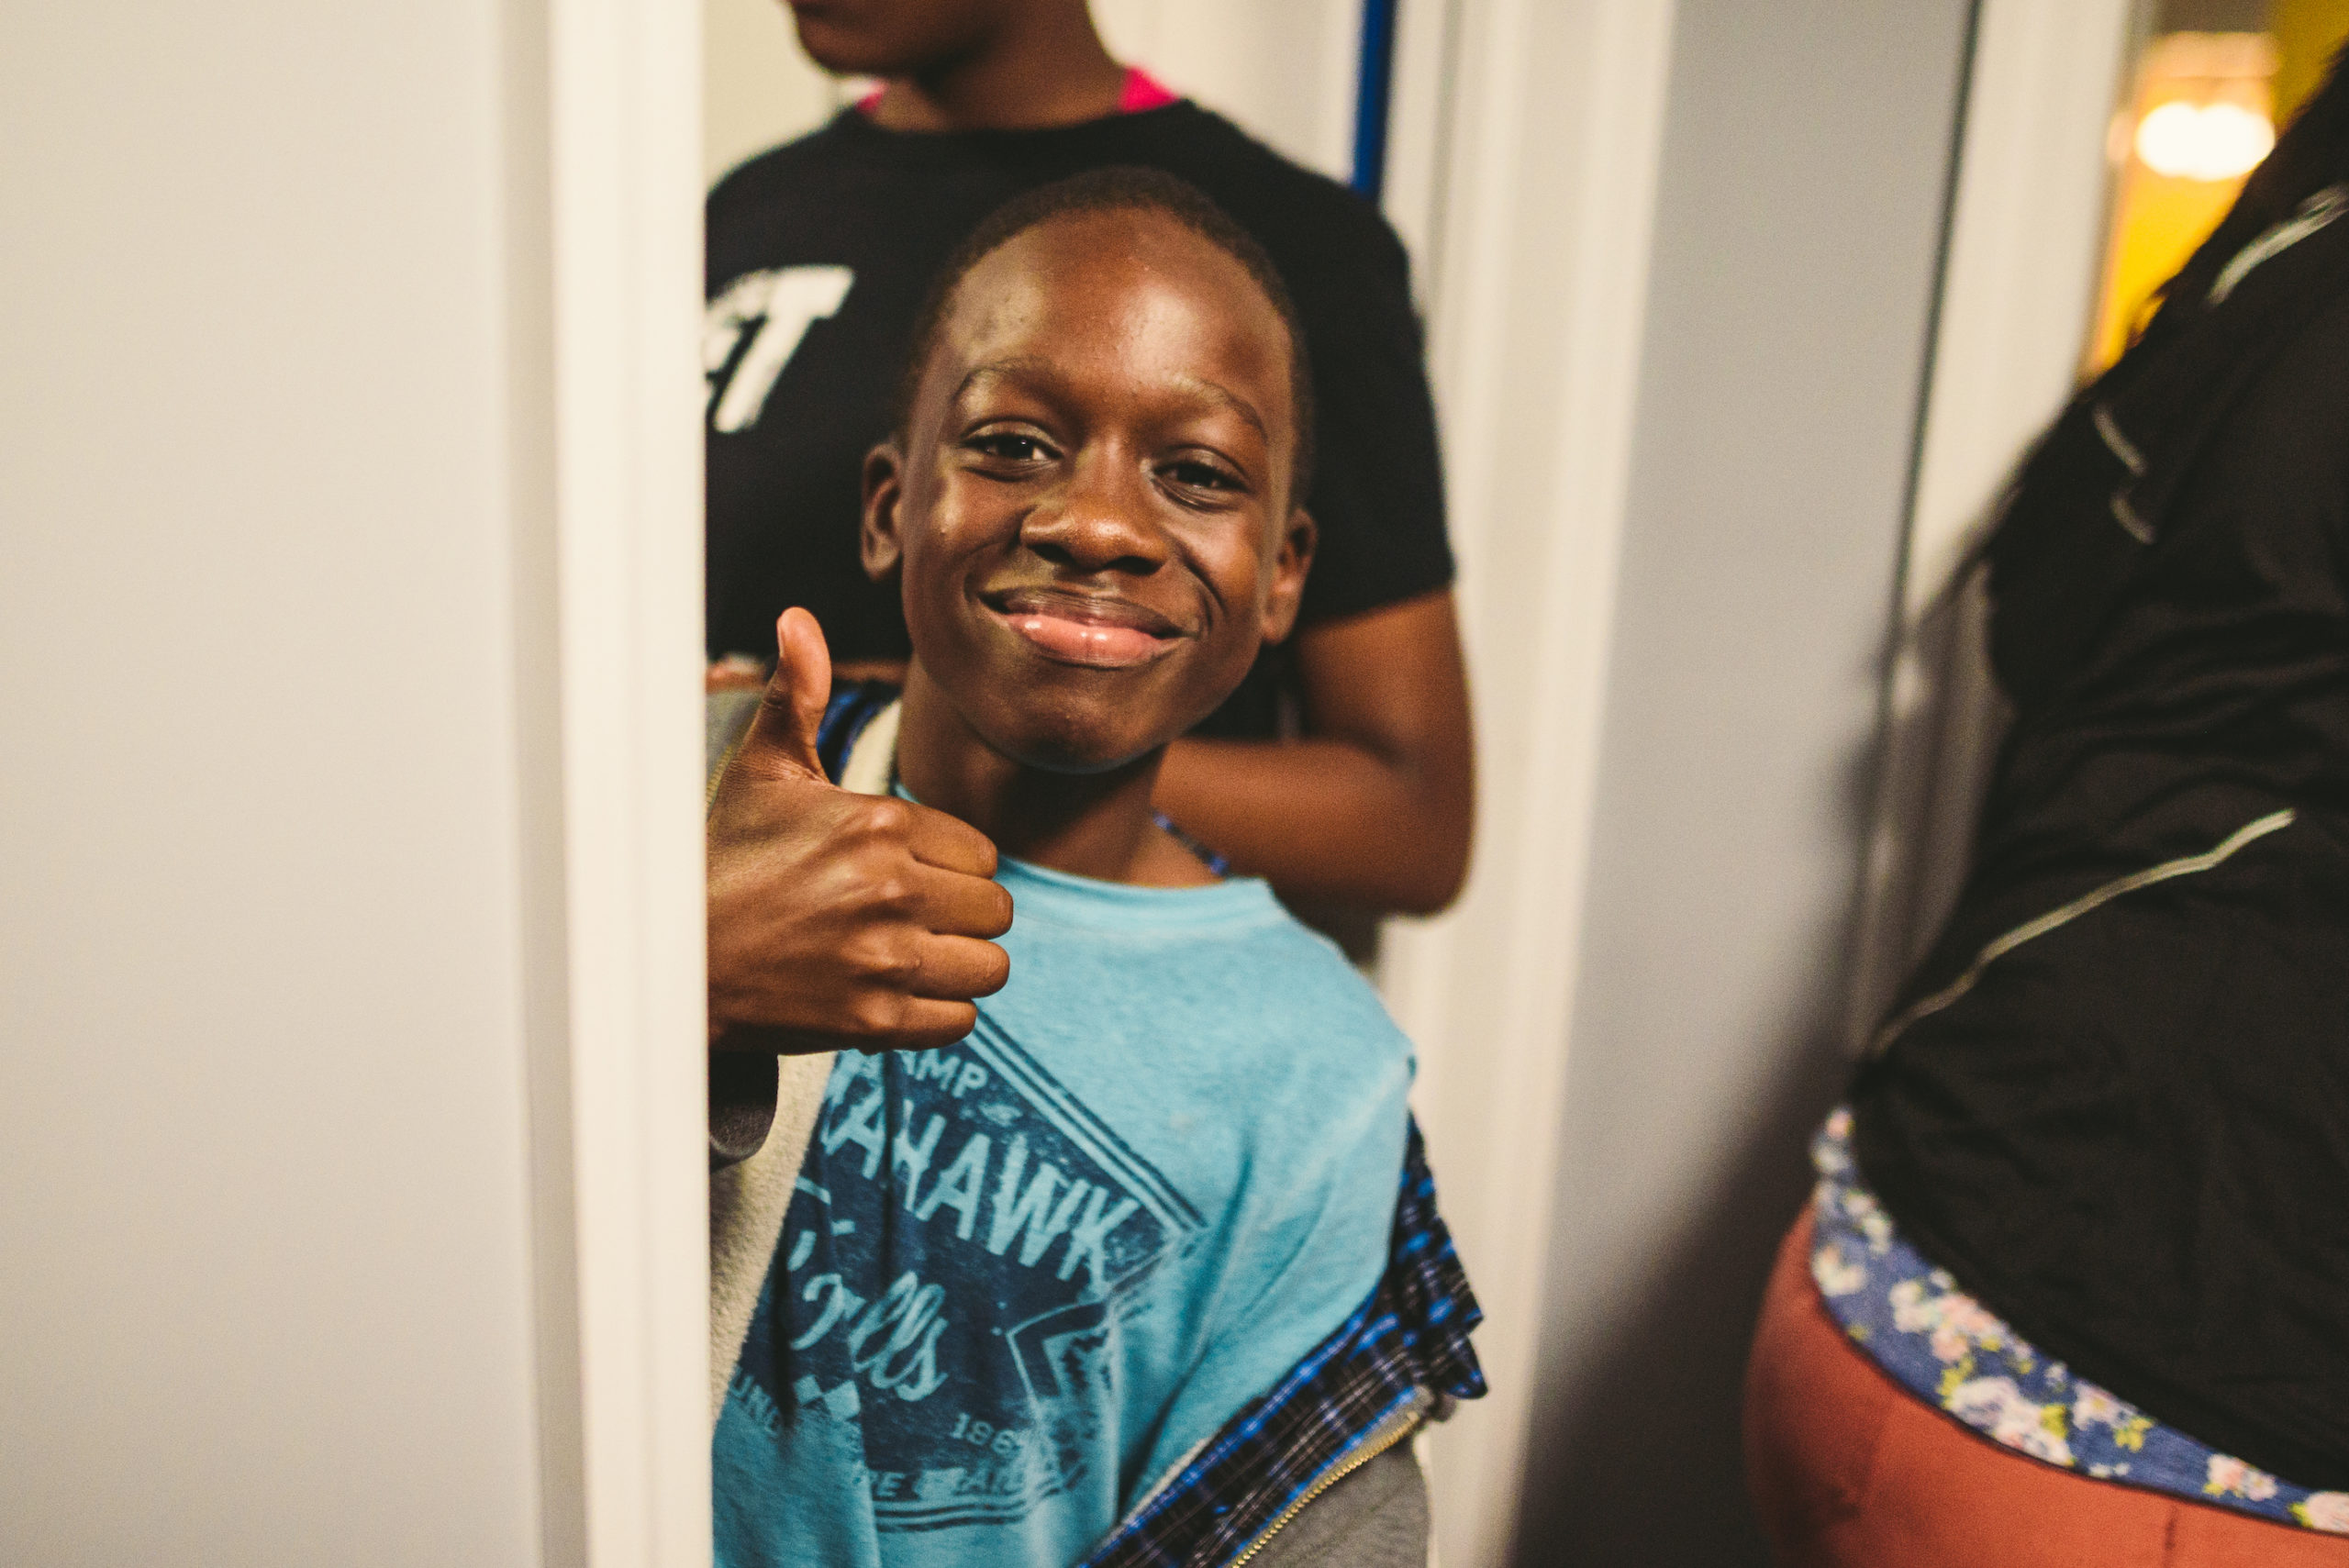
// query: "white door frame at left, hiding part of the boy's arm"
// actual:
[[607, 154]]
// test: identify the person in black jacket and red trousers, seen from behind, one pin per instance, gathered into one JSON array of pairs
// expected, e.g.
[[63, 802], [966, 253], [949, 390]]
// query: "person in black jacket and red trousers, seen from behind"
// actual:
[[2092, 1191]]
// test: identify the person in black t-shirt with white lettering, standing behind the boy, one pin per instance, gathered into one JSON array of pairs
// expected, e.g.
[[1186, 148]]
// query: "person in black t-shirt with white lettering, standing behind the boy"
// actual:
[[819, 257]]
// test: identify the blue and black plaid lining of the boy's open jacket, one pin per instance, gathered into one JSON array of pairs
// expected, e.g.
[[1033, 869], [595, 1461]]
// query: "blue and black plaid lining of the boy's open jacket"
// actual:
[[1411, 1337]]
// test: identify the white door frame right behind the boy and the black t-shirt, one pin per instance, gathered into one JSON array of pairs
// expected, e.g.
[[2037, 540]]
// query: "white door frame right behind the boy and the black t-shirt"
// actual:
[[1523, 165]]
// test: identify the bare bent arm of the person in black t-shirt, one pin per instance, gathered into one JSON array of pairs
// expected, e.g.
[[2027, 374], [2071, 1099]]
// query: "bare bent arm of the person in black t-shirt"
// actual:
[[1373, 804]]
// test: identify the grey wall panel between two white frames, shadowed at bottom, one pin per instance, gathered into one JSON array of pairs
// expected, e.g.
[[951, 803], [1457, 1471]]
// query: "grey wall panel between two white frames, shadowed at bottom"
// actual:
[[1805, 163]]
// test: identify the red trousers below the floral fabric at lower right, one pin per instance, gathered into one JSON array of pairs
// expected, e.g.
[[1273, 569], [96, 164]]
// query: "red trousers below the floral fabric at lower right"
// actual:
[[1852, 1471]]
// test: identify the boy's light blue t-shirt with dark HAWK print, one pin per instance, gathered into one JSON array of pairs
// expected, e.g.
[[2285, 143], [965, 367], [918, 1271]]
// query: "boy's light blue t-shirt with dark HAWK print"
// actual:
[[1025, 1276]]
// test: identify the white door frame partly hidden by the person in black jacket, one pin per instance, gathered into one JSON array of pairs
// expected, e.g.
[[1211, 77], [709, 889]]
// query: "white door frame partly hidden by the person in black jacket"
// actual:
[[2017, 304]]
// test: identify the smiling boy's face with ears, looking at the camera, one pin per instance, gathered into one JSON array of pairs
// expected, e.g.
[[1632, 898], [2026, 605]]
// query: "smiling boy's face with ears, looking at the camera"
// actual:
[[1093, 513]]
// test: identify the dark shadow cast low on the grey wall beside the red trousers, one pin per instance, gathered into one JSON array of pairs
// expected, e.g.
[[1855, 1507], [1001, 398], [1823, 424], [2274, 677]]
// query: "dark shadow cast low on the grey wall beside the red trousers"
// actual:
[[1641, 1461]]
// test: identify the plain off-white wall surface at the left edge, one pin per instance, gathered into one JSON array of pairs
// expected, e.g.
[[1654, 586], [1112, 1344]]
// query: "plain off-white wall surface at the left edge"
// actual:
[[264, 550]]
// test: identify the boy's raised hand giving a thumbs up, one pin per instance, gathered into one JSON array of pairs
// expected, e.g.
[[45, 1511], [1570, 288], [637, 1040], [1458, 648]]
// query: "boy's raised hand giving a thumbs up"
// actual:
[[840, 921]]
